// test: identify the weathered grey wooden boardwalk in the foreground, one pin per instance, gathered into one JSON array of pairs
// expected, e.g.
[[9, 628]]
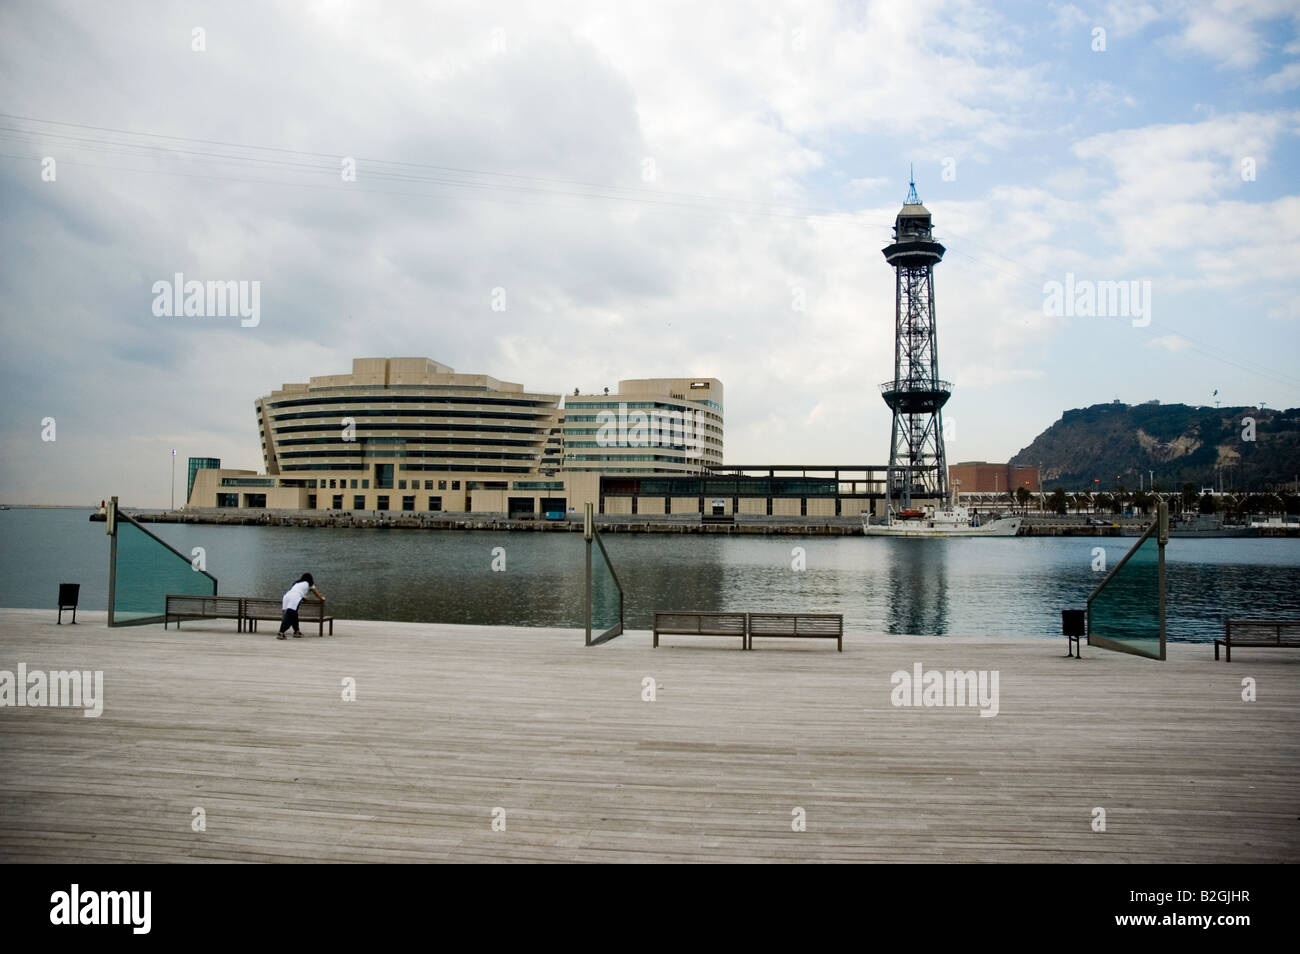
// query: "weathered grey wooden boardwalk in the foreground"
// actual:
[[454, 722]]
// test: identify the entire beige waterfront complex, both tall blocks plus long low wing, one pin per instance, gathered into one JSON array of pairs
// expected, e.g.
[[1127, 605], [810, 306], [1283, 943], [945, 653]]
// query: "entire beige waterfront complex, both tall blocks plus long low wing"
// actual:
[[409, 435]]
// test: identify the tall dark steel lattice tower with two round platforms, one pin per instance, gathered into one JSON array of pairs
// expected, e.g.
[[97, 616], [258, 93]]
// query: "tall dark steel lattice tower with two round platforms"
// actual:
[[917, 394]]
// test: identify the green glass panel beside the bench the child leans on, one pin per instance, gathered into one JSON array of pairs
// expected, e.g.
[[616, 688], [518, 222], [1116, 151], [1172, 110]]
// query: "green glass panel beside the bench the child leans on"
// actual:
[[148, 571]]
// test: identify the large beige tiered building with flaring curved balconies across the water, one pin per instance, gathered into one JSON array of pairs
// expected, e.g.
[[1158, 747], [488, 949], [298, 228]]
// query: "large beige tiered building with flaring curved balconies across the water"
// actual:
[[397, 433]]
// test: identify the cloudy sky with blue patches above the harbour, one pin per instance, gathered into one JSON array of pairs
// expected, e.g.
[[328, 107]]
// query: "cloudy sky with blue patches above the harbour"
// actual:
[[569, 194]]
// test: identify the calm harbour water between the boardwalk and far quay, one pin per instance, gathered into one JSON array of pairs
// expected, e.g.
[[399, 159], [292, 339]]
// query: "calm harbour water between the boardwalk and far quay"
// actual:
[[985, 587]]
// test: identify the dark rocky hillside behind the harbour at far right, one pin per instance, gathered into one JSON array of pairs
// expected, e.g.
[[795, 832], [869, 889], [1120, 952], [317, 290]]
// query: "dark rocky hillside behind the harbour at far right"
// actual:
[[1180, 444]]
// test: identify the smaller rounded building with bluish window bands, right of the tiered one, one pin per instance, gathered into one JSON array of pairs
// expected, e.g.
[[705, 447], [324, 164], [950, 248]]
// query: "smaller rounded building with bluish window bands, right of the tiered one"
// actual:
[[649, 427]]
